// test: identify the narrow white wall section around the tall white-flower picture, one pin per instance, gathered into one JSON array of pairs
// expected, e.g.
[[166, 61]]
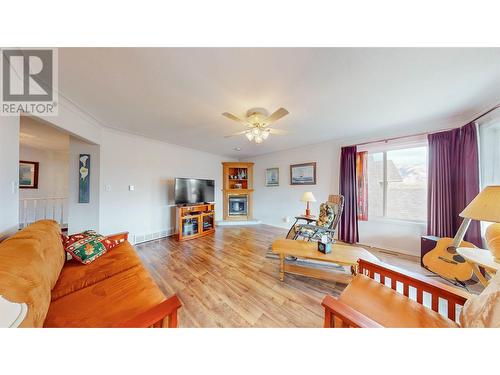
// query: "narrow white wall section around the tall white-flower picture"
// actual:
[[83, 216]]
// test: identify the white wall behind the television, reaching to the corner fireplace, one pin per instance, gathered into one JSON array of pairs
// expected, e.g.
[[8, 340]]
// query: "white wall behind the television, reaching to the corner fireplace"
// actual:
[[150, 166]]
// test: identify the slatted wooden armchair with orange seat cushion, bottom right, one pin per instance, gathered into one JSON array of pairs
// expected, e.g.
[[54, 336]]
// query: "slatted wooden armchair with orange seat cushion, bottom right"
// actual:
[[368, 302]]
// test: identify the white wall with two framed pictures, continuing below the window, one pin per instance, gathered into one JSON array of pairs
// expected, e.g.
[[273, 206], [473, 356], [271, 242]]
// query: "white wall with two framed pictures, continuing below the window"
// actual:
[[272, 205]]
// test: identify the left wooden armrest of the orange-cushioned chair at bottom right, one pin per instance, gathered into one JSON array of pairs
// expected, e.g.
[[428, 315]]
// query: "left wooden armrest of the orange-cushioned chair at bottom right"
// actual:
[[349, 317]]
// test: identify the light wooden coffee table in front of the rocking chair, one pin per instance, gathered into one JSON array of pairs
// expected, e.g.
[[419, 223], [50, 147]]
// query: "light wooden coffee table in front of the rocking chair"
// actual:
[[343, 255]]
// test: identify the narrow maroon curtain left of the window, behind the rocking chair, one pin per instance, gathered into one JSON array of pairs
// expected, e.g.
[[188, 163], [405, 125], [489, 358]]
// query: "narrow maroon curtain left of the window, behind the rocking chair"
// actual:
[[348, 226]]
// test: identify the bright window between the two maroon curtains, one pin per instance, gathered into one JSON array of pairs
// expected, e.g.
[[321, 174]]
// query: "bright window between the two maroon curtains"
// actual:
[[397, 183]]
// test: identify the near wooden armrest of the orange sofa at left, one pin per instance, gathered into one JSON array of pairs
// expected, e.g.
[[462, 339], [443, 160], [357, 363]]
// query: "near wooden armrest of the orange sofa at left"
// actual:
[[163, 315]]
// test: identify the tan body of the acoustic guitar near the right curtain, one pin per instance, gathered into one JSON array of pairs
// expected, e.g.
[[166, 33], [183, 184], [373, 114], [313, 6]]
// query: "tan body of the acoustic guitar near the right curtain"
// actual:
[[446, 262]]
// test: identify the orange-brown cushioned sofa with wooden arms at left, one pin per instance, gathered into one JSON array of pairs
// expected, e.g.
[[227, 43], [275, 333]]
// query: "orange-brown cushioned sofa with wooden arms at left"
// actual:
[[113, 291]]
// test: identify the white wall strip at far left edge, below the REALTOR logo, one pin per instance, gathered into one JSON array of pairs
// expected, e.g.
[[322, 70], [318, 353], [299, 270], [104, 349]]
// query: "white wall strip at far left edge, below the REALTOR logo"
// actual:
[[9, 175]]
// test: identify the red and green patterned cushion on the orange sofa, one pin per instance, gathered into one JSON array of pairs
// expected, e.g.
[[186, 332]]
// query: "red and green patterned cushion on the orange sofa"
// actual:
[[87, 246]]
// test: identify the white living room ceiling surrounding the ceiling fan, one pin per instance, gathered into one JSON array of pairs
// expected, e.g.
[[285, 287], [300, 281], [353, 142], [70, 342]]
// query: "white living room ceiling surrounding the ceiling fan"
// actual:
[[178, 94]]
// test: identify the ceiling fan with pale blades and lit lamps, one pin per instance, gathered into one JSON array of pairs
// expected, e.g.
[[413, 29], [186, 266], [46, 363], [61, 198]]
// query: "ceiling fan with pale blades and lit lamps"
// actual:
[[257, 122]]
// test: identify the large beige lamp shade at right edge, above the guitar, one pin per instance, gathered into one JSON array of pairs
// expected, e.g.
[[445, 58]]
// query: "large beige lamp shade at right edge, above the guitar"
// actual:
[[486, 205]]
